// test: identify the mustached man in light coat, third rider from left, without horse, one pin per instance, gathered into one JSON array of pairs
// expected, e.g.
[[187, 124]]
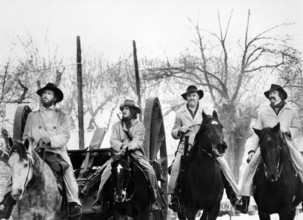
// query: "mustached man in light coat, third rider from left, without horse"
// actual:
[[187, 123]]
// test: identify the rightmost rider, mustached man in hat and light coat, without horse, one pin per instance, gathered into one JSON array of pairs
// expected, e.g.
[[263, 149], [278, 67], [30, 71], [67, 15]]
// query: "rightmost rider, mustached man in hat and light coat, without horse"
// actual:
[[277, 111]]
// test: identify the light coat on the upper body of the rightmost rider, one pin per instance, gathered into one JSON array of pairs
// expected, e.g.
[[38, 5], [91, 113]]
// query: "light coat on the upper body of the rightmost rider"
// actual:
[[288, 118]]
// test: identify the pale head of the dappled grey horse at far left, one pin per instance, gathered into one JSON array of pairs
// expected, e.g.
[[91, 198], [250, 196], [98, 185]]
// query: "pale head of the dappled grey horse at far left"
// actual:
[[21, 165]]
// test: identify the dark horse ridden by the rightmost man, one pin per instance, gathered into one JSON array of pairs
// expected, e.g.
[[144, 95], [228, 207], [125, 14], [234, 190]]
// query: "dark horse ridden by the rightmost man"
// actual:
[[277, 188]]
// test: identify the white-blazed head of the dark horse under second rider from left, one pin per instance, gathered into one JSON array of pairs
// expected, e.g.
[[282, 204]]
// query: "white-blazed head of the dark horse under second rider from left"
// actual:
[[121, 176]]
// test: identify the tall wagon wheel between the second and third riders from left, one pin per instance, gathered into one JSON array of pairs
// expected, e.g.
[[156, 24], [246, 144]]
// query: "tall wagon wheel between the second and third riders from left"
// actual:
[[155, 145]]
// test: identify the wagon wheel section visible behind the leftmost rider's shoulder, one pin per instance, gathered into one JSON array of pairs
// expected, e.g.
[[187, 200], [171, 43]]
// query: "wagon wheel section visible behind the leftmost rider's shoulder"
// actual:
[[21, 115]]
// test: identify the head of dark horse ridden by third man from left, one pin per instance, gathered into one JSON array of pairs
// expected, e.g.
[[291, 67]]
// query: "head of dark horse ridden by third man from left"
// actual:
[[210, 135]]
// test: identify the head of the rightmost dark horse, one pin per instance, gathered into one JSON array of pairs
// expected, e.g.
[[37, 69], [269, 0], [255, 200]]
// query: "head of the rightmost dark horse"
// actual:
[[271, 146]]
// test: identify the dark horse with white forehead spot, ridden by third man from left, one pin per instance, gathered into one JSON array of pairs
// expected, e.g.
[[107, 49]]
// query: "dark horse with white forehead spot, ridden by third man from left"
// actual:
[[203, 183]]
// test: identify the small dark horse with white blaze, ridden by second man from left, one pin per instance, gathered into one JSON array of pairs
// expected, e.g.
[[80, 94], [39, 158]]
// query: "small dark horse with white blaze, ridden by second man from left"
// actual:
[[129, 193]]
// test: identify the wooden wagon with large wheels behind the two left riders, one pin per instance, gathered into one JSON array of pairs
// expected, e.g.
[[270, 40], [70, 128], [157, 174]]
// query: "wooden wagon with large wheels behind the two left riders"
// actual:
[[88, 163]]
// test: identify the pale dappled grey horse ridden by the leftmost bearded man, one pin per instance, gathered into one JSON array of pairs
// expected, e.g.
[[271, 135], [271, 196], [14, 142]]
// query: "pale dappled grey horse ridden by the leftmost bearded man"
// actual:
[[34, 185]]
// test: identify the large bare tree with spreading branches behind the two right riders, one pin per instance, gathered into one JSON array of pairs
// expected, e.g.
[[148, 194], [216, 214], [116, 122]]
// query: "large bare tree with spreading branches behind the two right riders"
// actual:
[[227, 77]]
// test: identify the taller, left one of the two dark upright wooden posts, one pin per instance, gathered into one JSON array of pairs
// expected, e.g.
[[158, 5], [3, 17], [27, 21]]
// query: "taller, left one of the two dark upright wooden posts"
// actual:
[[80, 95]]
